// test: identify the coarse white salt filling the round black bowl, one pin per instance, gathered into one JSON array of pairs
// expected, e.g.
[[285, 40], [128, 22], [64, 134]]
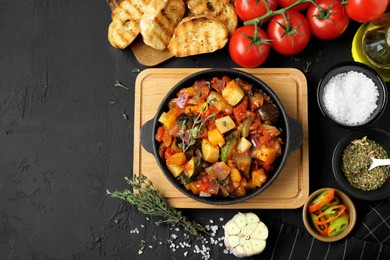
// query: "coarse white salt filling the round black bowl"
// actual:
[[350, 98]]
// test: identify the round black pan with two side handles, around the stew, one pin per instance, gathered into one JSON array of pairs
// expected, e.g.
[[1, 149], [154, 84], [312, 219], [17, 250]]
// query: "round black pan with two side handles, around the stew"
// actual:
[[292, 133]]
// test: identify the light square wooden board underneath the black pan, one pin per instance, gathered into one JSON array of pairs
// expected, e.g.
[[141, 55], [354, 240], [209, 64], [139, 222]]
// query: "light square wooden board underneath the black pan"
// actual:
[[290, 190]]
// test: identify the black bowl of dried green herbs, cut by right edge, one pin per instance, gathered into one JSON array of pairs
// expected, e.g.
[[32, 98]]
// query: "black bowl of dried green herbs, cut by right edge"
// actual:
[[351, 160]]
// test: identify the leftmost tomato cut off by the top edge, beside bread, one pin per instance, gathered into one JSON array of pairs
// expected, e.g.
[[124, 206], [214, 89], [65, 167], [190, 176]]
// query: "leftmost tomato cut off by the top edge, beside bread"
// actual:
[[250, 9]]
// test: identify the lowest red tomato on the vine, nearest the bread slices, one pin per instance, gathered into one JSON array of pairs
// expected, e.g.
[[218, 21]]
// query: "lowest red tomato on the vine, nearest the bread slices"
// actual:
[[247, 50]]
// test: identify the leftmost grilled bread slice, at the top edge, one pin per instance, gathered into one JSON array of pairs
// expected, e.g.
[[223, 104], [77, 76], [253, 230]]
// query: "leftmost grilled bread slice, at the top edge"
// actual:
[[124, 27]]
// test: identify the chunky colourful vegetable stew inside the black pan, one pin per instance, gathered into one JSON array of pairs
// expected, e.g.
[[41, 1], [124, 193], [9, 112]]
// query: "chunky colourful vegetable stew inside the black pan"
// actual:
[[219, 137]]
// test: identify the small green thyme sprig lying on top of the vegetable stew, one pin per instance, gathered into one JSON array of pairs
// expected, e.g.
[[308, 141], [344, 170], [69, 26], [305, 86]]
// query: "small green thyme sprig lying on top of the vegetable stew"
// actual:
[[194, 131]]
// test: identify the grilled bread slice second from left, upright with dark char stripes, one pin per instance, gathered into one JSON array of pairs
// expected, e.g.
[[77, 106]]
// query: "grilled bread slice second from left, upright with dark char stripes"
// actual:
[[159, 22]]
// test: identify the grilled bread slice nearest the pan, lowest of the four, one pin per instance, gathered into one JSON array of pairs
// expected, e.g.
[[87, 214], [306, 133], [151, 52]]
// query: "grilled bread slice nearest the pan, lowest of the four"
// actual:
[[197, 35]]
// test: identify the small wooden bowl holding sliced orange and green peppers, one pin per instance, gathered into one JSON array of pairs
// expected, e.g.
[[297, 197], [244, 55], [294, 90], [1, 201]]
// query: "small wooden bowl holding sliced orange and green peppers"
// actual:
[[329, 215]]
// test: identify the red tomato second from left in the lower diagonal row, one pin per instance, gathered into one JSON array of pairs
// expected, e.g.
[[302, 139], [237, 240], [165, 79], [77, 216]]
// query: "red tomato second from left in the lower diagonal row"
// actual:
[[292, 38]]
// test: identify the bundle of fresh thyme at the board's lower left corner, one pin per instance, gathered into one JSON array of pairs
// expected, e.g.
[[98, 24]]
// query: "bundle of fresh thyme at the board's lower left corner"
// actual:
[[149, 201]]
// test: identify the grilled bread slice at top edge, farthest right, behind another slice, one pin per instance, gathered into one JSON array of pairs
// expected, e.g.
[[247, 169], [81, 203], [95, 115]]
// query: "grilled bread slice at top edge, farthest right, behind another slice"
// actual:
[[221, 9]]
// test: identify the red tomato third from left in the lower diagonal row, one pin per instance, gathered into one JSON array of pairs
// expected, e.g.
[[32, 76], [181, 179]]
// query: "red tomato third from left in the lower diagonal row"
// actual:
[[328, 22]]
